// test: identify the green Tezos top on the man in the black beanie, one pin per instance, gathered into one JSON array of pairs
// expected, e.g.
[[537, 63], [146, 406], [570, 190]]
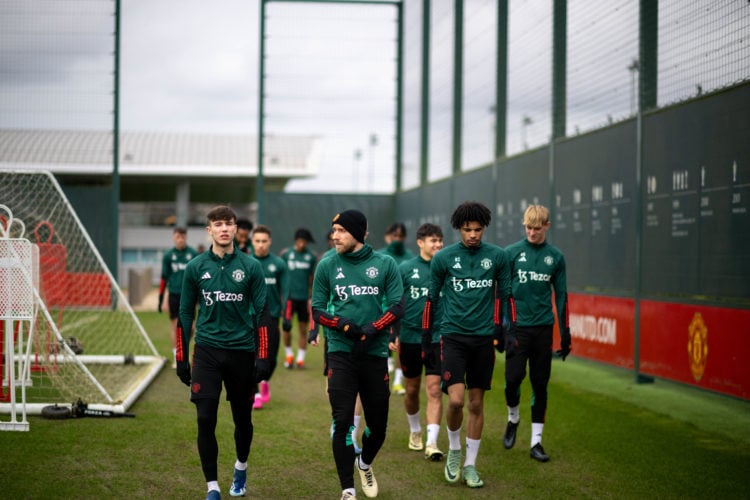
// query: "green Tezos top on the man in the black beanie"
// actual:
[[359, 286]]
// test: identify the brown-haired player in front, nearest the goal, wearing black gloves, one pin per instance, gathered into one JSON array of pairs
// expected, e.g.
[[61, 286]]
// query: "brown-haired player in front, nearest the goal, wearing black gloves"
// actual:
[[231, 343]]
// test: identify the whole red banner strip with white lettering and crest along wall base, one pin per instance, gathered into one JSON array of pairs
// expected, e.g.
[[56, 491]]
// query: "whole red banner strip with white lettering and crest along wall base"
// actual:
[[708, 347]]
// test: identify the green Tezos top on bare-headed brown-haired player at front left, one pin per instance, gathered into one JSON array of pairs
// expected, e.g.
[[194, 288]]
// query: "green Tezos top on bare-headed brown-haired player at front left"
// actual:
[[230, 293]]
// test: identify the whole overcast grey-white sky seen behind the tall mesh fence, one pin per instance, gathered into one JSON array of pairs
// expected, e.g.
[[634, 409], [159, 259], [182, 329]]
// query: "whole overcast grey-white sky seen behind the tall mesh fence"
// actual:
[[192, 66]]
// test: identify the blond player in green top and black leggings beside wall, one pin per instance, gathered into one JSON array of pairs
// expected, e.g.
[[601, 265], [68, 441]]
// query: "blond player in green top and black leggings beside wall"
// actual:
[[537, 269]]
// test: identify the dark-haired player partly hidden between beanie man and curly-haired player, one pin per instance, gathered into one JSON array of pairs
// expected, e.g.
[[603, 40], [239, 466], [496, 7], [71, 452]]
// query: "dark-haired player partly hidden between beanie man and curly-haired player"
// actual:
[[407, 340]]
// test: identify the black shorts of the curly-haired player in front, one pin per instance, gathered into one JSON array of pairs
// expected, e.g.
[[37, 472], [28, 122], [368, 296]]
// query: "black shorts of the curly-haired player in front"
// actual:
[[468, 359]]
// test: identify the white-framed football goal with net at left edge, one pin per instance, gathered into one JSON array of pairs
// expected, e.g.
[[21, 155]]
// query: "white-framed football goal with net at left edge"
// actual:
[[83, 340]]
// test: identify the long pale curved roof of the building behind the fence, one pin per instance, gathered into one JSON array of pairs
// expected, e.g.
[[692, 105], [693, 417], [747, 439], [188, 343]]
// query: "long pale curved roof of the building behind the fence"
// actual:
[[161, 154]]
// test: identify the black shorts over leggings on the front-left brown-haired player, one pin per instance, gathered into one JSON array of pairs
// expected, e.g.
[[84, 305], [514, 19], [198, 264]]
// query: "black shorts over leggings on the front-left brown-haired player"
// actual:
[[212, 366]]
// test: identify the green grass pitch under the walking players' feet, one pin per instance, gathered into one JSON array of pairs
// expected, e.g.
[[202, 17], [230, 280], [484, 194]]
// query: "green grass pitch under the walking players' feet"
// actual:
[[607, 437]]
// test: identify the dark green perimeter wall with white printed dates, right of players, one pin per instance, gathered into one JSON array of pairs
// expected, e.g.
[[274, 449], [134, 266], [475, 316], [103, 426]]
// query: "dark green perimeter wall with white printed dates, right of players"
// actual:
[[690, 213]]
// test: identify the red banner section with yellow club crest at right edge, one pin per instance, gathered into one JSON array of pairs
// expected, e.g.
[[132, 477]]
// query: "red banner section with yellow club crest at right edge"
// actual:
[[698, 345]]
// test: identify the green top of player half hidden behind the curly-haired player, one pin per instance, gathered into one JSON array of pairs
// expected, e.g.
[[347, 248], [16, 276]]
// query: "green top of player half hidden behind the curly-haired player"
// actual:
[[415, 274]]
